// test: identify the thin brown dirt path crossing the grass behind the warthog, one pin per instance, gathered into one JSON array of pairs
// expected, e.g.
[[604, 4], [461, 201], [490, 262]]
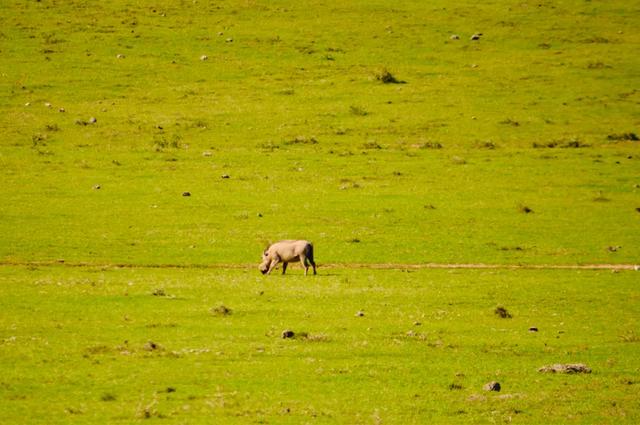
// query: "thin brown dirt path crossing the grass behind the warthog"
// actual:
[[370, 266]]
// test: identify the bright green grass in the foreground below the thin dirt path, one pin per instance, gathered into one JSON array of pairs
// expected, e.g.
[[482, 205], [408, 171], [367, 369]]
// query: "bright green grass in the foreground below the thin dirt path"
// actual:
[[75, 346]]
